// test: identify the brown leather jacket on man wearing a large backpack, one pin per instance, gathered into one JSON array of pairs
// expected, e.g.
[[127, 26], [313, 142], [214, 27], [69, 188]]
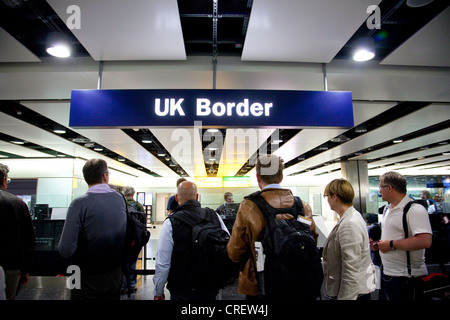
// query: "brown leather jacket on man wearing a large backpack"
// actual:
[[249, 227]]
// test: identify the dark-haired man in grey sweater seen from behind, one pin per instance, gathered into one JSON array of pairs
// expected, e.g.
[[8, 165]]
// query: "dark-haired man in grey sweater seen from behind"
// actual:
[[94, 235]]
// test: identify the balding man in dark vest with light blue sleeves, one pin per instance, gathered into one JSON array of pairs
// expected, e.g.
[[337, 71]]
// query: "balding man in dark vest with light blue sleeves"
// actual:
[[174, 248]]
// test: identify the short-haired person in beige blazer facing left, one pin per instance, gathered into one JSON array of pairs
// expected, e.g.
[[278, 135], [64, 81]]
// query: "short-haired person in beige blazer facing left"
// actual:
[[349, 273]]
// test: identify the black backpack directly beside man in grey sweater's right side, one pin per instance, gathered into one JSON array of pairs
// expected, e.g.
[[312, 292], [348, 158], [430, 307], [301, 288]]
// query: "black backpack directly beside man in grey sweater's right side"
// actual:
[[136, 237]]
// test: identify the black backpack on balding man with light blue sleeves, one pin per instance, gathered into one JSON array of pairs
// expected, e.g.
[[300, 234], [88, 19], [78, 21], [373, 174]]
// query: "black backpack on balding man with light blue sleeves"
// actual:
[[211, 267]]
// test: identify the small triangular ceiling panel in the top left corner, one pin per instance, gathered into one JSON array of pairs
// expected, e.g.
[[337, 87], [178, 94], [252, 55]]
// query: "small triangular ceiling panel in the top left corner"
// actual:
[[12, 50]]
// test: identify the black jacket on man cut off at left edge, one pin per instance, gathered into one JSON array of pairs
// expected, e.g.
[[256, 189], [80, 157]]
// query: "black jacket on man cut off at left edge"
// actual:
[[17, 236]]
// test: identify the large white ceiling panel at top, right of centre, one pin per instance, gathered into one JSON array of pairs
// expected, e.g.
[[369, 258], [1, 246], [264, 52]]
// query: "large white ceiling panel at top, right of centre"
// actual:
[[313, 31]]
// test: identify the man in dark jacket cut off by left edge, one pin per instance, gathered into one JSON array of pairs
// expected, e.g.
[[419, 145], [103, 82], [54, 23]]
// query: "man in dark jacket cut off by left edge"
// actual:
[[17, 237]]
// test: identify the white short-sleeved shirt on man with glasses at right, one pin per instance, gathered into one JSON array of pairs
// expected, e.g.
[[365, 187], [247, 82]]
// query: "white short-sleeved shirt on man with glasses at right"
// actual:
[[395, 262]]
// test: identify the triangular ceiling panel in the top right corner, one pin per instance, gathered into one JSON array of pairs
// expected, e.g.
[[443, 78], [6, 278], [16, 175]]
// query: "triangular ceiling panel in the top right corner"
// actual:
[[430, 46]]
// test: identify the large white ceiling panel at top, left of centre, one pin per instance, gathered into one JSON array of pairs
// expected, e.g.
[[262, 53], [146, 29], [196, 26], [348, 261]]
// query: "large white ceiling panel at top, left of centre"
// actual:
[[127, 30]]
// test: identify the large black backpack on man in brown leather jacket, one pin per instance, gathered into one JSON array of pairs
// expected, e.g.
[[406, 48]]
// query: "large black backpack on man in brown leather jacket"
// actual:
[[292, 265]]
